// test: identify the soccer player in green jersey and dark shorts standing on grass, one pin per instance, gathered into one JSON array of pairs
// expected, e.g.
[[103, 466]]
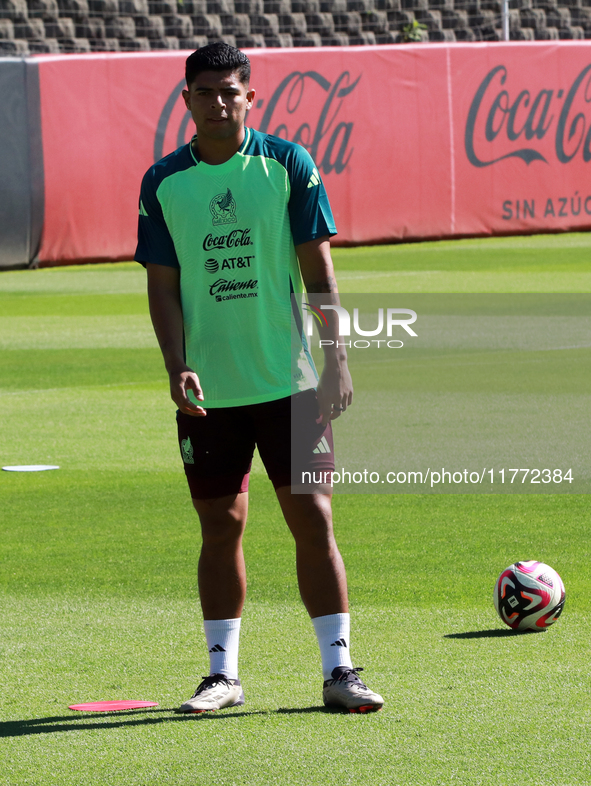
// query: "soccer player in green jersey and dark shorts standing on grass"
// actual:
[[229, 225]]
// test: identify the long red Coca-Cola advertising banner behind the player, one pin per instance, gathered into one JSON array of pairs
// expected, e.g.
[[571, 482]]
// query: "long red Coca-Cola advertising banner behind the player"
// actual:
[[414, 141]]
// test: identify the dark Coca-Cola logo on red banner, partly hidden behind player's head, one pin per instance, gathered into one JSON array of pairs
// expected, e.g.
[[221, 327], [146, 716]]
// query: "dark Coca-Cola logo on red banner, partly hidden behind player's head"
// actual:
[[305, 107]]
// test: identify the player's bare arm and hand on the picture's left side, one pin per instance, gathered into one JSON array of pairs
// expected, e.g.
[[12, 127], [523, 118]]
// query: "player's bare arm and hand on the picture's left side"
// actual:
[[167, 318]]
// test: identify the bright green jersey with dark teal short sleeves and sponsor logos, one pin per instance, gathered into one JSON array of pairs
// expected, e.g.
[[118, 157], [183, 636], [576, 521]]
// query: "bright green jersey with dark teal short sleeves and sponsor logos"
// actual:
[[231, 230]]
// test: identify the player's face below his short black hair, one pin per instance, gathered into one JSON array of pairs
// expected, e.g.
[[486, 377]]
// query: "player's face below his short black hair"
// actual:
[[218, 102]]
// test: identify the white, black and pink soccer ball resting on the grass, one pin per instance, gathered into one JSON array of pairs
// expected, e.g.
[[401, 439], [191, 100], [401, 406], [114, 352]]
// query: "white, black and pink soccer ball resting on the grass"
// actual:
[[529, 595]]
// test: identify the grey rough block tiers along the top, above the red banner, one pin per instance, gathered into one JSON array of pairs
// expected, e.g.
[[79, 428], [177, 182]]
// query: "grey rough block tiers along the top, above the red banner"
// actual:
[[54, 26]]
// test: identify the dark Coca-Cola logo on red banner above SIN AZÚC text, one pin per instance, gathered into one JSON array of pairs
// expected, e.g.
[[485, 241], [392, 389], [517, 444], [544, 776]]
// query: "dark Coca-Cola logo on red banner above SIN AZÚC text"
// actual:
[[508, 120]]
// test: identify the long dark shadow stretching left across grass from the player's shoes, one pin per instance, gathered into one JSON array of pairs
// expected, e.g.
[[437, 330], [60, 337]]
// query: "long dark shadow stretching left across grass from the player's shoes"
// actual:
[[88, 722]]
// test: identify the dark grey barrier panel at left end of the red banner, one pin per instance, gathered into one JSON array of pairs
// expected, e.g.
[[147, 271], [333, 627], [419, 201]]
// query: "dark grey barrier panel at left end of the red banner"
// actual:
[[21, 163]]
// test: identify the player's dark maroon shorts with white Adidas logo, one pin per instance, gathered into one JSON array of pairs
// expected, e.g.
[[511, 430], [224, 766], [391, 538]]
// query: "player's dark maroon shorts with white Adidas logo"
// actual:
[[217, 449]]
